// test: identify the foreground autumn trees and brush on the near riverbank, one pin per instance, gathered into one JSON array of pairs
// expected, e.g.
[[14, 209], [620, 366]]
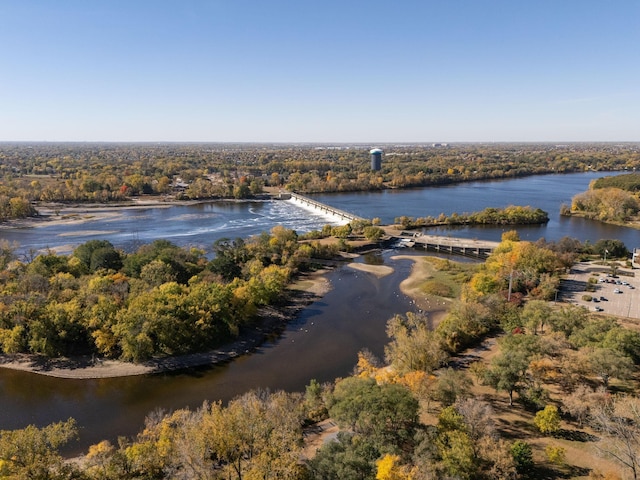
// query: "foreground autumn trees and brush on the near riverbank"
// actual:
[[559, 383]]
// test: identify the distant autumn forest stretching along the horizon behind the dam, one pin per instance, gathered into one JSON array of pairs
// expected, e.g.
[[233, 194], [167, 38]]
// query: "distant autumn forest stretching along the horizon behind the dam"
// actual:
[[72, 173]]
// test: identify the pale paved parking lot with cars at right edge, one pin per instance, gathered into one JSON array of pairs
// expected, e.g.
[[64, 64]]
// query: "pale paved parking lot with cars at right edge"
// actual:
[[619, 295]]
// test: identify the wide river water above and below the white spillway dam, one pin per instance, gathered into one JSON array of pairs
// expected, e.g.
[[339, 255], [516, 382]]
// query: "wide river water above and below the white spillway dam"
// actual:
[[322, 343]]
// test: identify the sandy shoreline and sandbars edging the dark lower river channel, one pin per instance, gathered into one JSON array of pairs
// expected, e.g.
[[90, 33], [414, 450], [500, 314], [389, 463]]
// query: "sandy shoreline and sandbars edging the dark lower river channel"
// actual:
[[307, 289]]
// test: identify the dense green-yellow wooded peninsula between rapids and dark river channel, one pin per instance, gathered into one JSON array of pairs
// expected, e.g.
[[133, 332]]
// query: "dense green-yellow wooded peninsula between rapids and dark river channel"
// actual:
[[160, 300]]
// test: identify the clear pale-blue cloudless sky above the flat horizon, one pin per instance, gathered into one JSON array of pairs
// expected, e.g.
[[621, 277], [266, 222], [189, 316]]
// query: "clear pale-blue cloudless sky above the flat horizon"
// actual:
[[320, 70]]
